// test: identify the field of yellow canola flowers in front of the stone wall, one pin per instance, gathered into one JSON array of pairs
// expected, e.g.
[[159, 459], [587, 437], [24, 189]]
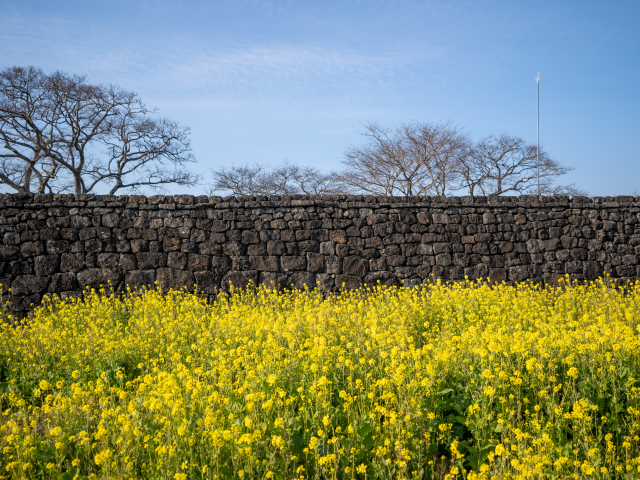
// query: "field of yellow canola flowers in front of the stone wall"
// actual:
[[447, 381]]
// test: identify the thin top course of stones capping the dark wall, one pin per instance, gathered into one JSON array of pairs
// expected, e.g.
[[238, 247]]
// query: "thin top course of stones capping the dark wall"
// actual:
[[343, 201]]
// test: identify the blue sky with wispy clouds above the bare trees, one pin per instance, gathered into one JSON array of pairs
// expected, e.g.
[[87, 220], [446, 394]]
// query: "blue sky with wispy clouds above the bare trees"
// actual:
[[261, 81]]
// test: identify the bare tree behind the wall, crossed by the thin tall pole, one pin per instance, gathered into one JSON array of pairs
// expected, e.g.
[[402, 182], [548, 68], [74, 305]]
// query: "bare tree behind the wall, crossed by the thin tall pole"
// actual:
[[503, 164]]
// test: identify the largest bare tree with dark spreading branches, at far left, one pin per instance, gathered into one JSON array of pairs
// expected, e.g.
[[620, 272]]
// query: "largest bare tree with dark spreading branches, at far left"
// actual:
[[81, 136]]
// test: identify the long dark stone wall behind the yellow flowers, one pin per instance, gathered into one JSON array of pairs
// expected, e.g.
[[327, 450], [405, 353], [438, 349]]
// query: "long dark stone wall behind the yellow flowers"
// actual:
[[63, 243]]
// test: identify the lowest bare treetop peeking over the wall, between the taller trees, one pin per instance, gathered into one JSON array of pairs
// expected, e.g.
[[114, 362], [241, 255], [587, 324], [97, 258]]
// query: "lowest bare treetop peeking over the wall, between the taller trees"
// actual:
[[283, 179]]
